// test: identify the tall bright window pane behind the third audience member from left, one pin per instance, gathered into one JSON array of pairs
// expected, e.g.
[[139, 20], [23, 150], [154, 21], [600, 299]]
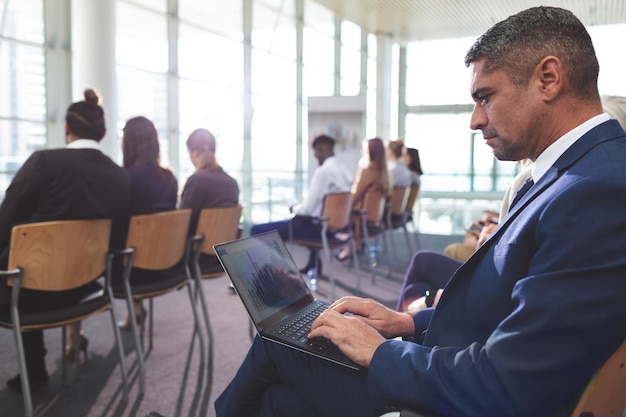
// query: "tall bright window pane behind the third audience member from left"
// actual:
[[210, 64]]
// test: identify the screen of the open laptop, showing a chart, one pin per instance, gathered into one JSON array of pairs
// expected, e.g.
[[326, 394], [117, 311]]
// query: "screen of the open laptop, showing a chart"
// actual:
[[264, 273]]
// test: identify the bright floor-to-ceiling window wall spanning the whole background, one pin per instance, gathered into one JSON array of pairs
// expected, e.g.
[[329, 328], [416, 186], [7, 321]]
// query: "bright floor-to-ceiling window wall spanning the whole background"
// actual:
[[183, 64]]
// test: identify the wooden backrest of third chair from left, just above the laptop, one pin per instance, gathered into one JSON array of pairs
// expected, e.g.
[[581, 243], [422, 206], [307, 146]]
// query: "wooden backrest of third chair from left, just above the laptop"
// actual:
[[218, 225]]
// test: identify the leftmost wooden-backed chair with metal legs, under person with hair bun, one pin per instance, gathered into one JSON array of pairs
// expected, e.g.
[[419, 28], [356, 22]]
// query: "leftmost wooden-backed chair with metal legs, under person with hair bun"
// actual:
[[59, 256]]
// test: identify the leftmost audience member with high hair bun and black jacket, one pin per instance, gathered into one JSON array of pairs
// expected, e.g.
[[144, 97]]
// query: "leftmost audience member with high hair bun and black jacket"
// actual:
[[75, 182]]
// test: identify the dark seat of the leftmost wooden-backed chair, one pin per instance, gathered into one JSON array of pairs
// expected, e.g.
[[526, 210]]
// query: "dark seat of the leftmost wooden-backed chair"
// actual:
[[57, 317]]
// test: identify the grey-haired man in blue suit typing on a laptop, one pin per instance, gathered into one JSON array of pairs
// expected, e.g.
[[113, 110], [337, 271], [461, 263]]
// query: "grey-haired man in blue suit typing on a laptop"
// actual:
[[524, 323]]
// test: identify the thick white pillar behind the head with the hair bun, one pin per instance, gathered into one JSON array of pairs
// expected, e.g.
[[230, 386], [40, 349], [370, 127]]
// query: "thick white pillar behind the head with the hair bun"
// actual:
[[93, 40]]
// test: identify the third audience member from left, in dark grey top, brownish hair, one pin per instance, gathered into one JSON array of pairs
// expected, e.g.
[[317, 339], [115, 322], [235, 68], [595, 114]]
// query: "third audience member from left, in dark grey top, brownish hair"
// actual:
[[210, 186]]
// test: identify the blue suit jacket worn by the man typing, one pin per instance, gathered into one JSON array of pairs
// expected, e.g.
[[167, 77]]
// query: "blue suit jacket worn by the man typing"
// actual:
[[525, 322]]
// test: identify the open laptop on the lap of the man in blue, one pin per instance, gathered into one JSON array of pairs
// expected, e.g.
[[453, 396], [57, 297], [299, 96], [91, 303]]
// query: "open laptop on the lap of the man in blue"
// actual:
[[275, 294]]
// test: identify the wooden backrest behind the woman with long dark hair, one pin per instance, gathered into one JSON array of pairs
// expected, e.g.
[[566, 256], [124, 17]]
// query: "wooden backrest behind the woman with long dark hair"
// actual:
[[159, 239]]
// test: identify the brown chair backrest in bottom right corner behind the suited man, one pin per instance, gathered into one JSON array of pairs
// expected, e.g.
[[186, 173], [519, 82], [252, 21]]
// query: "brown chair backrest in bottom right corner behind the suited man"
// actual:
[[605, 395]]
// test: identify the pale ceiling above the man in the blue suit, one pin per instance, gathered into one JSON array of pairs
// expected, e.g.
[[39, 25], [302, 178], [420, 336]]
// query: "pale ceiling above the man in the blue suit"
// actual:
[[411, 20]]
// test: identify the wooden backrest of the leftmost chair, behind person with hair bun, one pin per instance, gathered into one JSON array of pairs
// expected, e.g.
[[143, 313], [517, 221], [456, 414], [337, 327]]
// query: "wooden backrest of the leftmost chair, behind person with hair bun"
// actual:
[[60, 255]]
